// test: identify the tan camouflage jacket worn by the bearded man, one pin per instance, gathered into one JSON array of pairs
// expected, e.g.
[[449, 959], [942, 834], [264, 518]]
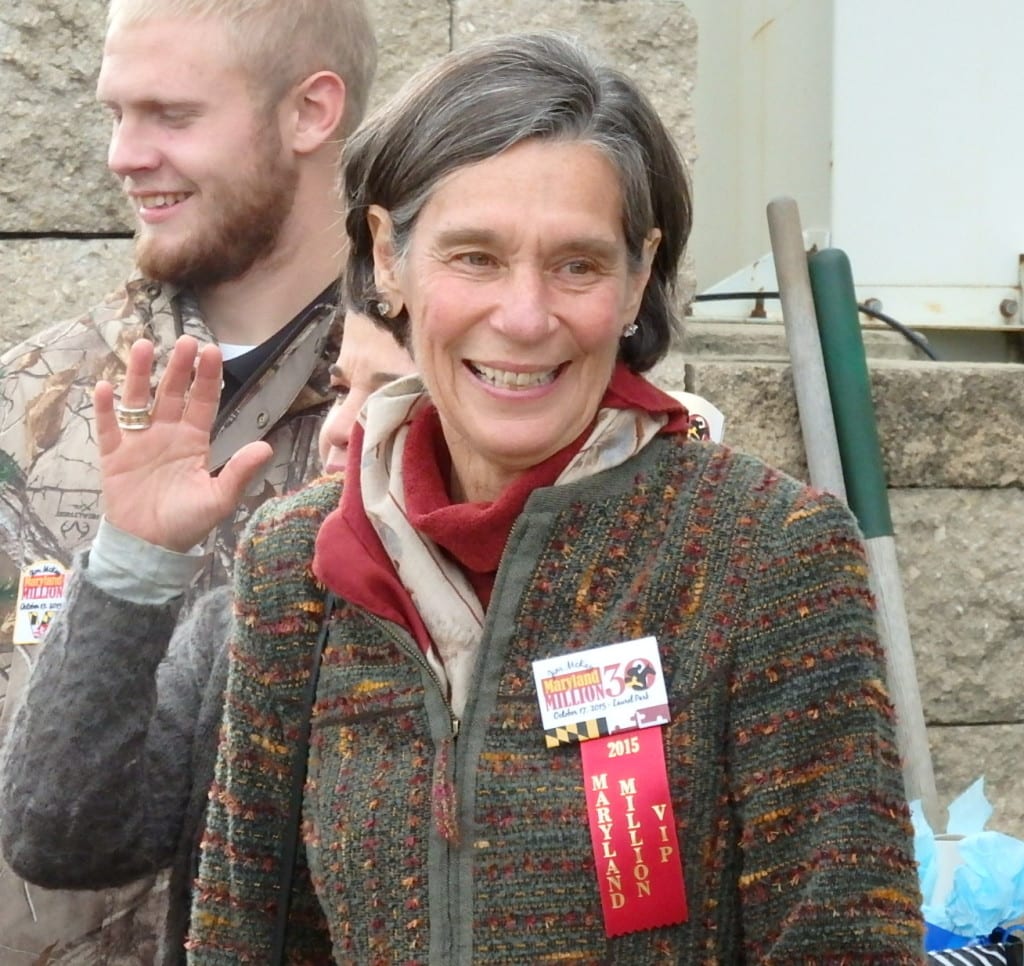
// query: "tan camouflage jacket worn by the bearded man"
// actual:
[[50, 507]]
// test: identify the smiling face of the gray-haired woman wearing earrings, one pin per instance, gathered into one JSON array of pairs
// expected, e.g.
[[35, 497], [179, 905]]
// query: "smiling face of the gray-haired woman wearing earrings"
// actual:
[[519, 288]]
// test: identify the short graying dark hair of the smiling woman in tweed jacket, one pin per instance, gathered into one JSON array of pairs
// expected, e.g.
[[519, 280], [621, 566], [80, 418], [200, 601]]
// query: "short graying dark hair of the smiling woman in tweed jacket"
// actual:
[[486, 99]]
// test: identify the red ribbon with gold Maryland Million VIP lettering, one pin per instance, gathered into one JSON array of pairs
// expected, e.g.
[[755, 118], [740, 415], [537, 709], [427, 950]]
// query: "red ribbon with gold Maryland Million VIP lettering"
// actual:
[[633, 832]]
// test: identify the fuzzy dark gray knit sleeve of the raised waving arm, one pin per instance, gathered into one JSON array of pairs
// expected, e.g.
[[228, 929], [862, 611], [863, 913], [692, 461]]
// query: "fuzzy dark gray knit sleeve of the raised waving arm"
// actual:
[[99, 766]]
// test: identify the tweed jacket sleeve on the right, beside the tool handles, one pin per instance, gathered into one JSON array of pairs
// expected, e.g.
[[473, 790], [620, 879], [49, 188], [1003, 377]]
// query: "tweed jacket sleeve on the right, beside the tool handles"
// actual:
[[829, 870]]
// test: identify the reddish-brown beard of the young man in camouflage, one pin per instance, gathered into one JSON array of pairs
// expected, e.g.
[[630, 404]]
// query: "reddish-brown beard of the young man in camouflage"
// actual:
[[241, 226]]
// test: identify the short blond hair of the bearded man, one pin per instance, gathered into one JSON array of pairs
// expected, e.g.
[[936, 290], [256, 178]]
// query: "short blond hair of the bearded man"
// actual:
[[282, 43]]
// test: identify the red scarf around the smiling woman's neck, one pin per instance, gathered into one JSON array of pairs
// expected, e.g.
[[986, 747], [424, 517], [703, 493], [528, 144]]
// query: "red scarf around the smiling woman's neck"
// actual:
[[351, 559]]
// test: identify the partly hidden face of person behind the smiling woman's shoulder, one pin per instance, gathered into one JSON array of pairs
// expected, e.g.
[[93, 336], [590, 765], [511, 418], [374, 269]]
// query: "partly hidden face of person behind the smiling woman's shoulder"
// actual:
[[369, 359]]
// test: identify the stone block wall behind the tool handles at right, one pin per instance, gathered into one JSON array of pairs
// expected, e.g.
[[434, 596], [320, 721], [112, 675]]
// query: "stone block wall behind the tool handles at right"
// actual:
[[953, 440]]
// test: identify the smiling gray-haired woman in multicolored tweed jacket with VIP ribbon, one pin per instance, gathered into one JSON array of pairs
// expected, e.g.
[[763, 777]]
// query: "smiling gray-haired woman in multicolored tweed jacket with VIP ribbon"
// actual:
[[529, 554]]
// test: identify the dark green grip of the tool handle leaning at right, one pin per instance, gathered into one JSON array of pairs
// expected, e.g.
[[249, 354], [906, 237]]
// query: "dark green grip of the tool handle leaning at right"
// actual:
[[850, 389]]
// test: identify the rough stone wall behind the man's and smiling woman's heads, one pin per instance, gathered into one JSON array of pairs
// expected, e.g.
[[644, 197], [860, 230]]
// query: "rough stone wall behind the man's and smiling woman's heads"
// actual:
[[65, 231]]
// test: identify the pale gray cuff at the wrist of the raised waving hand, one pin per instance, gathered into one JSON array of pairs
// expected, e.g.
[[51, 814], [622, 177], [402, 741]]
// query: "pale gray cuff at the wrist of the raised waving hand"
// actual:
[[127, 567]]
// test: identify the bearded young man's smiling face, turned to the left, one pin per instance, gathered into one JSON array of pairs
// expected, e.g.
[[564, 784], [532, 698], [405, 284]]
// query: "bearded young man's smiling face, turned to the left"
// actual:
[[200, 159]]
